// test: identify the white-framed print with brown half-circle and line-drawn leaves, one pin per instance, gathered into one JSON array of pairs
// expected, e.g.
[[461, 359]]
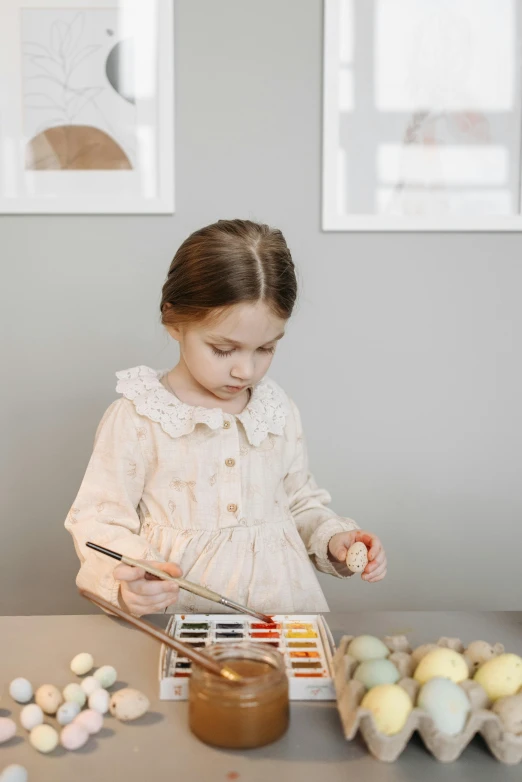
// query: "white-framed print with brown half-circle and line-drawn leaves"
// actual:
[[87, 107]]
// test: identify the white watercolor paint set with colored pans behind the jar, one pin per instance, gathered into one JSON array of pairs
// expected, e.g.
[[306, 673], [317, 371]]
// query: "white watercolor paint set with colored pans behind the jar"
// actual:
[[305, 641]]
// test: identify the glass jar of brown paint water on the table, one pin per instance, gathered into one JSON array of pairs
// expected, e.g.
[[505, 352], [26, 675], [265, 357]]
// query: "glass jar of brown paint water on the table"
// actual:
[[238, 715]]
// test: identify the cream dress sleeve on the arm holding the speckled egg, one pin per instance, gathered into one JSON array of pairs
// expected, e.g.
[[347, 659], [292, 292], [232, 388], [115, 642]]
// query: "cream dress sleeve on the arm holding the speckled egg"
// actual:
[[315, 522]]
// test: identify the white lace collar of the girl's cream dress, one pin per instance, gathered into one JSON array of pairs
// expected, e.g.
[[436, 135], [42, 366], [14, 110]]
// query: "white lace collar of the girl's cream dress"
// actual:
[[265, 413]]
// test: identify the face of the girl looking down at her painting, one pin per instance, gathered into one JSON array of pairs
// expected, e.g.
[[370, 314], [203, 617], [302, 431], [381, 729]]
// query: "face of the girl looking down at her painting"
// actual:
[[233, 353]]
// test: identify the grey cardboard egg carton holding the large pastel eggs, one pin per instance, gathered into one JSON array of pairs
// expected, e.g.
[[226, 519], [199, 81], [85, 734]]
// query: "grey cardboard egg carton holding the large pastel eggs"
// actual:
[[506, 747]]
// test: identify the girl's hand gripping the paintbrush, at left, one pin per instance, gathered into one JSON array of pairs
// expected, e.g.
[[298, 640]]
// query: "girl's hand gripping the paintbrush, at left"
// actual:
[[141, 593]]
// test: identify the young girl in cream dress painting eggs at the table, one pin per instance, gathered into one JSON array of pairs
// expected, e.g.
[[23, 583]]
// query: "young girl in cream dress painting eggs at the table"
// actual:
[[203, 469]]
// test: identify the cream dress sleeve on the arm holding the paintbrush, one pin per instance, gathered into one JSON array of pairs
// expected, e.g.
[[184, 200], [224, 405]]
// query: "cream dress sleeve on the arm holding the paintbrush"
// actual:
[[105, 509]]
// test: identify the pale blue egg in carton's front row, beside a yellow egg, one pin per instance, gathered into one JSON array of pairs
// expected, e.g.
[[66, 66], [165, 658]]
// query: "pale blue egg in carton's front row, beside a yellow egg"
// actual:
[[446, 703]]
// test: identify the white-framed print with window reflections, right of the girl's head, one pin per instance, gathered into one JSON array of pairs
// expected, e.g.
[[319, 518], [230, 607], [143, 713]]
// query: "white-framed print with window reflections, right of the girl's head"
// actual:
[[422, 120]]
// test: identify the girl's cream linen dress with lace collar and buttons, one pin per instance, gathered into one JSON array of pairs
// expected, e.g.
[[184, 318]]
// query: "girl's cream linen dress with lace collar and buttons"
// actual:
[[228, 497]]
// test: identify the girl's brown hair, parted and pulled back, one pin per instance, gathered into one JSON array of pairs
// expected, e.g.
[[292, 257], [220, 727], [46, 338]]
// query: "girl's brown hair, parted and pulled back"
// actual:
[[225, 263]]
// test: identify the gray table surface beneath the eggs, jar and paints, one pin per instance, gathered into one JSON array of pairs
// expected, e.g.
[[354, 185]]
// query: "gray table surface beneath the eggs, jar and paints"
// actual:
[[160, 745]]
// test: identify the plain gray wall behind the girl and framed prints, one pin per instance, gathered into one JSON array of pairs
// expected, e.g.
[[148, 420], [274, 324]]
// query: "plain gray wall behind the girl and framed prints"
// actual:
[[401, 356]]
